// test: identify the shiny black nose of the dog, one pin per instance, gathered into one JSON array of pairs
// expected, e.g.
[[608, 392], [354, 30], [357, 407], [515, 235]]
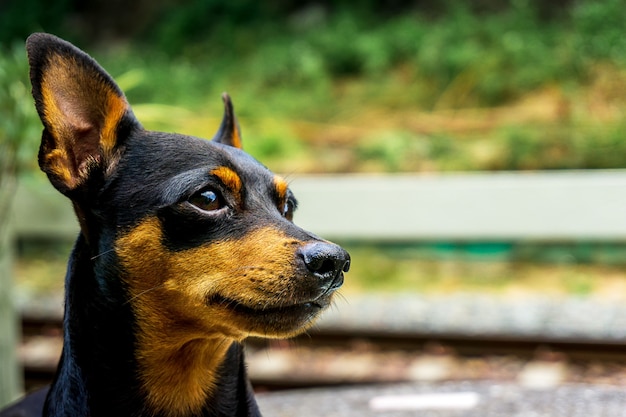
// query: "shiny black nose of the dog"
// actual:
[[326, 261]]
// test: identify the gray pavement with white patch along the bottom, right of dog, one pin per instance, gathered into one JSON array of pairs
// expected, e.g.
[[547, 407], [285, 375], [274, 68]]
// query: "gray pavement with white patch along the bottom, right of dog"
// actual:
[[465, 399]]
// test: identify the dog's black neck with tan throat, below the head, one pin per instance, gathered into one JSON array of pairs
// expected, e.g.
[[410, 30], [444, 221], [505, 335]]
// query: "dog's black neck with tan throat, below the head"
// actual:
[[98, 374]]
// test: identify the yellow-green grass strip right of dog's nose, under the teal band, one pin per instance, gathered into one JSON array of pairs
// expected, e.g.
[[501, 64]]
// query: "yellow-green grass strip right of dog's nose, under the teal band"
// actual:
[[408, 271]]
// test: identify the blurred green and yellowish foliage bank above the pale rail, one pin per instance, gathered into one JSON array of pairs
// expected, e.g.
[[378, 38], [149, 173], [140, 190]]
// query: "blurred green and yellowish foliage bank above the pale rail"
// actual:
[[300, 72]]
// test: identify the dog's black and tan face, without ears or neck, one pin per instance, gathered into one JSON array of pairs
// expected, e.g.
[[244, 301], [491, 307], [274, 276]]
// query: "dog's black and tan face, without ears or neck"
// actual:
[[217, 249]]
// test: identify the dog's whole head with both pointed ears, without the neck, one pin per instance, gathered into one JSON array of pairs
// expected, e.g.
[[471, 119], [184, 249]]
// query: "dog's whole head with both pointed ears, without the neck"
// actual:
[[199, 232]]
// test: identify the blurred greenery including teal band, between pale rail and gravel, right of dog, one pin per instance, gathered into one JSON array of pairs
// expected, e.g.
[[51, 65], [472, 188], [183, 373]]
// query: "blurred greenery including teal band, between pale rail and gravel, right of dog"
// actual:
[[524, 269]]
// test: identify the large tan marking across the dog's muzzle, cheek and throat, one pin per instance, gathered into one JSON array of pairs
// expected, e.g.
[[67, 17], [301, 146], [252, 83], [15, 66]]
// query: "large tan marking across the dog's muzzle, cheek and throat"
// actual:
[[182, 338]]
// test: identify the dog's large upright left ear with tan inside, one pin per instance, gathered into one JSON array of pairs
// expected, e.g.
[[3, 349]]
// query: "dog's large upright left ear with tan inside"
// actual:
[[84, 113]]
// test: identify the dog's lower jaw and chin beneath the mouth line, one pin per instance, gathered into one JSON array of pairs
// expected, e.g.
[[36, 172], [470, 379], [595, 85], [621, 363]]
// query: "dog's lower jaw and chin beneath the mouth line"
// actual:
[[272, 320]]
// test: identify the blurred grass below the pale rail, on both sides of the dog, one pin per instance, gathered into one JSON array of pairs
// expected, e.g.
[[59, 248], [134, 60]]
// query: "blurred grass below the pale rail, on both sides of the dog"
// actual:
[[40, 269]]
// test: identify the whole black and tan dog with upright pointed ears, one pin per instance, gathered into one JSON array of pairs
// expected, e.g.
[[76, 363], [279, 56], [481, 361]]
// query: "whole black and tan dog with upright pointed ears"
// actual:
[[186, 248]]
